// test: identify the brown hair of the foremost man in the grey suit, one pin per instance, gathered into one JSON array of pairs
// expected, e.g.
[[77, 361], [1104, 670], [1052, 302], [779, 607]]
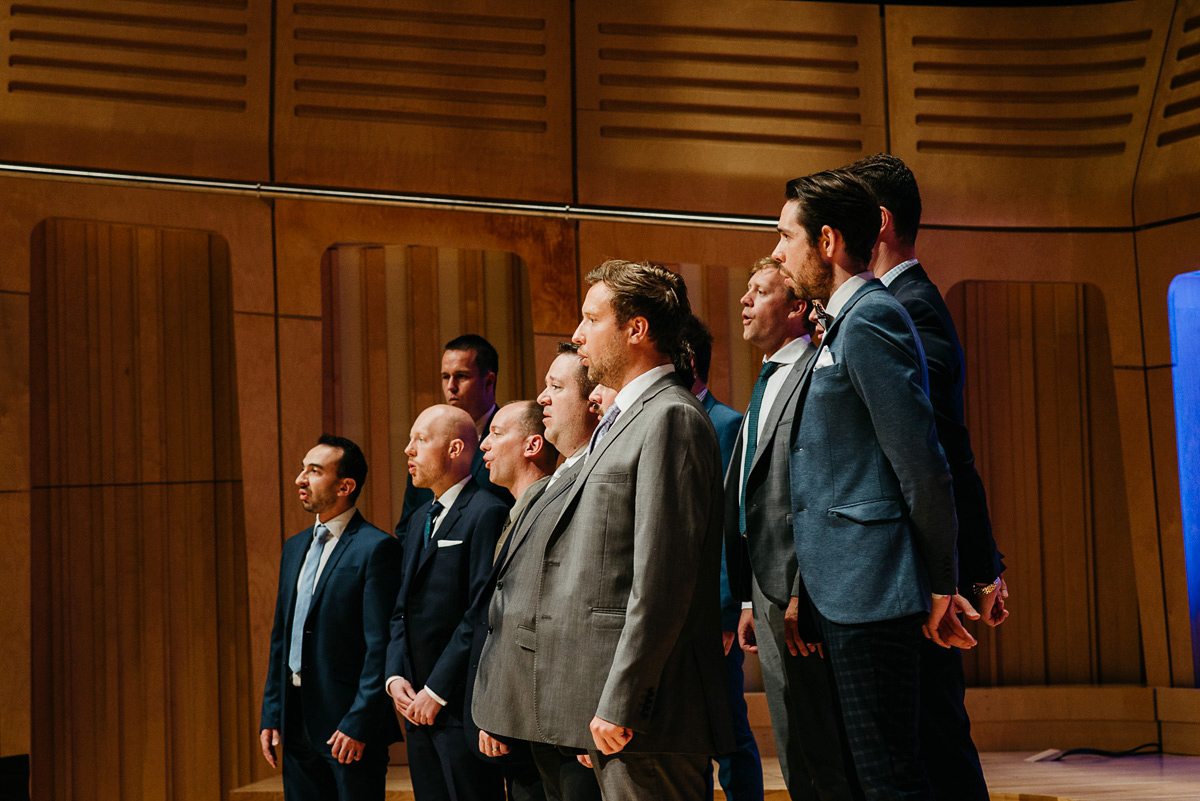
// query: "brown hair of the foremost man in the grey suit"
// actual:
[[651, 292]]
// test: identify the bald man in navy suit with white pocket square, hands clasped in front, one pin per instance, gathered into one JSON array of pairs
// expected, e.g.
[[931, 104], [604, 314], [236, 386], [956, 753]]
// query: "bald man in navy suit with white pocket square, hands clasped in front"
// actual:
[[448, 558]]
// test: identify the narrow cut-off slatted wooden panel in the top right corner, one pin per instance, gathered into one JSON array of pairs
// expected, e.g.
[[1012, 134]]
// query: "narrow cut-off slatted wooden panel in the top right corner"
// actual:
[[1168, 183]]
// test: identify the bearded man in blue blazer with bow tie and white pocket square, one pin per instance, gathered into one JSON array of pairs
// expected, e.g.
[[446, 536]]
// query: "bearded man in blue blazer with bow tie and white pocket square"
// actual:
[[873, 508]]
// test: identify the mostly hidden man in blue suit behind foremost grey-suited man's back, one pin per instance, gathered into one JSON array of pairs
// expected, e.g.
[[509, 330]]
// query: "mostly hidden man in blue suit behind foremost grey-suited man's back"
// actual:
[[741, 770]]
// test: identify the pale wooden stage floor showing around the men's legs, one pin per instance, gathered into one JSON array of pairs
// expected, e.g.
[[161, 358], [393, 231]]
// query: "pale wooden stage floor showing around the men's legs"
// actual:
[[1010, 779]]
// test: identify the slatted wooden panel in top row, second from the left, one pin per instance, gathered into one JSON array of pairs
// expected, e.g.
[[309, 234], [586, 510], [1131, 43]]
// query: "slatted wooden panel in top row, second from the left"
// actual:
[[465, 99]]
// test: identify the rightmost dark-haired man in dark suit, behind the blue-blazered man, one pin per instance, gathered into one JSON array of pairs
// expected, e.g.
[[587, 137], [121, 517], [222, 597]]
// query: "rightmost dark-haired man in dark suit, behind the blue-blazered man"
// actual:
[[950, 755]]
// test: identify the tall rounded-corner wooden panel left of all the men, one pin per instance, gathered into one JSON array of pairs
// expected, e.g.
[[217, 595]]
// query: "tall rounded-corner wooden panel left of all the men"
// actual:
[[142, 676]]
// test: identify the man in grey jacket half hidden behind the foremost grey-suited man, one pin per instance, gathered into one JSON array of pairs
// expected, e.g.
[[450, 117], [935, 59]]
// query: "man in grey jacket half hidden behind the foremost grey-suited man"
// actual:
[[507, 664]]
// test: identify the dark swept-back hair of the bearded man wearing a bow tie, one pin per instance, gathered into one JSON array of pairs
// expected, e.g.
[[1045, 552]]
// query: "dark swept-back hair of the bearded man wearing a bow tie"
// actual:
[[838, 200]]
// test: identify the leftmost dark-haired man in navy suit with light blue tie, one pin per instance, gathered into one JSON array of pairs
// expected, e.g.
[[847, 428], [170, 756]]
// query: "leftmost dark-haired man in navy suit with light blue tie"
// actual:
[[325, 680]]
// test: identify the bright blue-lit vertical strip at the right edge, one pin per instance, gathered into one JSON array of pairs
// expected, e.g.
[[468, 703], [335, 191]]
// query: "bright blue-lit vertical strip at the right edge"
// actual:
[[1184, 312]]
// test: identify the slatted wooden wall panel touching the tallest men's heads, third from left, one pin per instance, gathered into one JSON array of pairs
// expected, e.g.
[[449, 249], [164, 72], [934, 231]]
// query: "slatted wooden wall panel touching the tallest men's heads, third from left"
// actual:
[[715, 106]]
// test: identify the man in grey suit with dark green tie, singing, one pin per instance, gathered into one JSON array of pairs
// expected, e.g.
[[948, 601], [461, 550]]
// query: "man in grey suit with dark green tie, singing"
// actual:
[[758, 501]]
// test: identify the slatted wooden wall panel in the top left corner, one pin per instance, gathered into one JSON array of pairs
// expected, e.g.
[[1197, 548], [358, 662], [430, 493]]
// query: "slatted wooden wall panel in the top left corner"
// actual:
[[177, 87]]
